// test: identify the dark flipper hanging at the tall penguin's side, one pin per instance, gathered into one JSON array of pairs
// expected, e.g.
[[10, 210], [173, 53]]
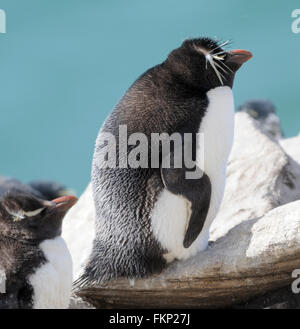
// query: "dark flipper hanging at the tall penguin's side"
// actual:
[[197, 191]]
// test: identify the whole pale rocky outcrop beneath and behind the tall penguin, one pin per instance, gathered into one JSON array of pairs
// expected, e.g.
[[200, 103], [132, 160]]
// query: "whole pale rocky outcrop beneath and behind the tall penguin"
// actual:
[[255, 239]]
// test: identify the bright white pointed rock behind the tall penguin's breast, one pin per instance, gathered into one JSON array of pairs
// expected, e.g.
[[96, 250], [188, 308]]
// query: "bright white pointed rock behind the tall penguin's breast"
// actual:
[[260, 177]]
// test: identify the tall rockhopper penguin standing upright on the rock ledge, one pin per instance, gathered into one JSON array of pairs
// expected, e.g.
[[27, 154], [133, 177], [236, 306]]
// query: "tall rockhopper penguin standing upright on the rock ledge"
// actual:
[[146, 217]]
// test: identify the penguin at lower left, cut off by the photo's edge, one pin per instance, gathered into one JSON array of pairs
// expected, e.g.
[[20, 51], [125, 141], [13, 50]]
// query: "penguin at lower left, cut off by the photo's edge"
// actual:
[[34, 258]]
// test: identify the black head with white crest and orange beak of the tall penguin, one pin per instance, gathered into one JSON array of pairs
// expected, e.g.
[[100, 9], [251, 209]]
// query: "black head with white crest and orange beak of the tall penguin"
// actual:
[[204, 64]]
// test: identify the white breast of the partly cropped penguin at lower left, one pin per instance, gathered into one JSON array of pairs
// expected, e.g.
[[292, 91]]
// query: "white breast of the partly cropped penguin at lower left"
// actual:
[[52, 282]]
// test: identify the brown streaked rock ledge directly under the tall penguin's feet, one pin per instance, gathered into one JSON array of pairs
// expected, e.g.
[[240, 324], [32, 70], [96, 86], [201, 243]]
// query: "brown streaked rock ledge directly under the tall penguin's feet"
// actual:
[[255, 257]]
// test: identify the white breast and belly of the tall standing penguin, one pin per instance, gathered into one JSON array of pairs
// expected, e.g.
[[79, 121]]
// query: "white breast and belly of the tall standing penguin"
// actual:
[[171, 213]]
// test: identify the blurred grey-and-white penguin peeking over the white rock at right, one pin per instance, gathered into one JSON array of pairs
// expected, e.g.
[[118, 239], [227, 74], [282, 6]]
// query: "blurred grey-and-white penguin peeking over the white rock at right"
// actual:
[[264, 112]]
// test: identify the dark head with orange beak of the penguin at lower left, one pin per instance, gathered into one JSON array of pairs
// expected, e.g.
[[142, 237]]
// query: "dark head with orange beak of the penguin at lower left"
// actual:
[[27, 218]]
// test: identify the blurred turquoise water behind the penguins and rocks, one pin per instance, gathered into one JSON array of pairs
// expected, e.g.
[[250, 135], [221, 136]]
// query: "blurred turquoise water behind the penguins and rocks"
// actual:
[[65, 64]]
